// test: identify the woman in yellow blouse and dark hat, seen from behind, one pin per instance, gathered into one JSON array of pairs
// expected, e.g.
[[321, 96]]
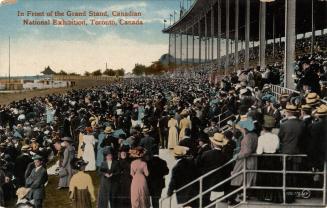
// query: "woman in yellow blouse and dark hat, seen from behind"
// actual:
[[81, 186]]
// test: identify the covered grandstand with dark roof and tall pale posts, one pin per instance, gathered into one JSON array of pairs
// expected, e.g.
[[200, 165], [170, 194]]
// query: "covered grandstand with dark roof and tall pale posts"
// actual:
[[246, 30]]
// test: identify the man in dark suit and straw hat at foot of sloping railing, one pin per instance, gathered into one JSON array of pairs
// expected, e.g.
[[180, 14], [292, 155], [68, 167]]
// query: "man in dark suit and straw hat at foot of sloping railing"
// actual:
[[183, 173]]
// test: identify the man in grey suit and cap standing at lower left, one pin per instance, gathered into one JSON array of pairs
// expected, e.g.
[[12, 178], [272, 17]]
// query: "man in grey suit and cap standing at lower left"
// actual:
[[36, 181]]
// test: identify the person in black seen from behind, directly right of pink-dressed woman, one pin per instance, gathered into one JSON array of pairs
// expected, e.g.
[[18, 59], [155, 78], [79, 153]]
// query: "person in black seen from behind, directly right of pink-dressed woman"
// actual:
[[156, 182]]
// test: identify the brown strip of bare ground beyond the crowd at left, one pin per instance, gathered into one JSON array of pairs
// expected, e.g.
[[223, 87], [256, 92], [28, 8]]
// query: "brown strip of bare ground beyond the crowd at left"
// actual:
[[80, 84]]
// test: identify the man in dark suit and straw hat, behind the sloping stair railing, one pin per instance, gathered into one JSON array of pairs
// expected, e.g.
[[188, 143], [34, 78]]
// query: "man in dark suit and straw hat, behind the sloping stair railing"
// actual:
[[211, 160]]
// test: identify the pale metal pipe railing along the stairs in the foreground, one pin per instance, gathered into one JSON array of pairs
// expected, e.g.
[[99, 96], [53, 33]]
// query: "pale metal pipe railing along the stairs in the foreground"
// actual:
[[244, 187]]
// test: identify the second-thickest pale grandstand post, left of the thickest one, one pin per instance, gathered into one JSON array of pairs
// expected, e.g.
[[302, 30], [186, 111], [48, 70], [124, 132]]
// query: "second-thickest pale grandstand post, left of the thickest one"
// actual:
[[262, 29]]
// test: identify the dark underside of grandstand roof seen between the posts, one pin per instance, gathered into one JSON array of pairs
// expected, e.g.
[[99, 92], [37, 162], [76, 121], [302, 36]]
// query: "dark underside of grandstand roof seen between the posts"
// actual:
[[277, 9]]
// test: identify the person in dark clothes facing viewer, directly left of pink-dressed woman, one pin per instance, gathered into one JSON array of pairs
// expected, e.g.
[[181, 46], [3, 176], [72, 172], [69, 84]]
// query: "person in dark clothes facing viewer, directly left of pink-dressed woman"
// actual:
[[109, 171]]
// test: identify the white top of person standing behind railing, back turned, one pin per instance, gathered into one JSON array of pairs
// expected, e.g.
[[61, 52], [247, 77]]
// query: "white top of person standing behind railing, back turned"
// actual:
[[267, 143]]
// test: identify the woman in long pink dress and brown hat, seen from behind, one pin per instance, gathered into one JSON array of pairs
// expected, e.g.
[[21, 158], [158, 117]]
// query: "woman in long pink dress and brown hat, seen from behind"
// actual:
[[140, 197]]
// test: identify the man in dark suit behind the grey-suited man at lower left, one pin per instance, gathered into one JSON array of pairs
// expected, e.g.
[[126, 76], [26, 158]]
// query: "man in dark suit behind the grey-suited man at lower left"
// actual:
[[21, 164]]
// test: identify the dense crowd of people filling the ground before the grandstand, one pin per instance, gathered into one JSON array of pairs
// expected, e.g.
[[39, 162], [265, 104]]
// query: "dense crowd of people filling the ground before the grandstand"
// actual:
[[118, 130]]
